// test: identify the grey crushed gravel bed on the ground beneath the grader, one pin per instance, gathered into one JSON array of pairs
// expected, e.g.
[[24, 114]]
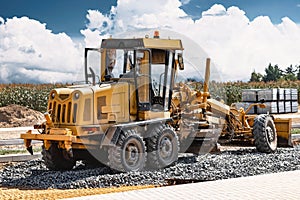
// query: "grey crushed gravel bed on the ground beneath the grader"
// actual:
[[228, 164]]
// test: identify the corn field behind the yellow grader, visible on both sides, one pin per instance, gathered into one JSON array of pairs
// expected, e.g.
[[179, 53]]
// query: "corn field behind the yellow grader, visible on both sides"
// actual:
[[35, 96]]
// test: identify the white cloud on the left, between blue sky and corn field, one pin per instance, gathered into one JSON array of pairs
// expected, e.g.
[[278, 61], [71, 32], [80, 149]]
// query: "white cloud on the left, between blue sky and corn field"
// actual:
[[32, 53]]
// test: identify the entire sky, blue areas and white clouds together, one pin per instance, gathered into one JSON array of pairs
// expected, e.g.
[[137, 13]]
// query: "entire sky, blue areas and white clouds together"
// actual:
[[43, 41]]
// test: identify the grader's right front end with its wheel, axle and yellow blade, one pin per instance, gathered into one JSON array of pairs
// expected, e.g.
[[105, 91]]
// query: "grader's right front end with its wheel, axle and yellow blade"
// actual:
[[264, 131]]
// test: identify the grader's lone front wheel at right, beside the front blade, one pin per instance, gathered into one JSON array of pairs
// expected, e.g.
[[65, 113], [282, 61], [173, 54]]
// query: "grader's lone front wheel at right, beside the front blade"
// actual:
[[265, 136]]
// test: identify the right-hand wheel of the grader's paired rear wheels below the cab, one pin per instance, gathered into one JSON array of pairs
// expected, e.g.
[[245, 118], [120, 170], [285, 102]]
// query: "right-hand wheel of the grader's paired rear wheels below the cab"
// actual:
[[162, 145]]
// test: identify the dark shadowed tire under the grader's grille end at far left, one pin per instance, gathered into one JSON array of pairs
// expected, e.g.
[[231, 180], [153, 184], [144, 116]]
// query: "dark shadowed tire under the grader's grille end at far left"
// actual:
[[54, 158]]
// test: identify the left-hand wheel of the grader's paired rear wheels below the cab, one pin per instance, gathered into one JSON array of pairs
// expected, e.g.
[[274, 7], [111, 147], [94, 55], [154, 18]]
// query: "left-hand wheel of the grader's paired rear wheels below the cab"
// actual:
[[129, 153]]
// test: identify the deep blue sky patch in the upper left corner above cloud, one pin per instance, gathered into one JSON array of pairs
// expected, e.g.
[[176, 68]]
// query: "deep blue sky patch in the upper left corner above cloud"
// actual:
[[59, 15]]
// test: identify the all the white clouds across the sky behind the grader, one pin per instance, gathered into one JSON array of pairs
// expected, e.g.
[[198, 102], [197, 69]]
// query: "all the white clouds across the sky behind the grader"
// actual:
[[29, 52]]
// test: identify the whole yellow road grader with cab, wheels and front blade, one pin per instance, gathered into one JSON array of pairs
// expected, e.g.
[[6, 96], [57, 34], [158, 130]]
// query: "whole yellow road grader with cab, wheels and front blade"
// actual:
[[134, 115]]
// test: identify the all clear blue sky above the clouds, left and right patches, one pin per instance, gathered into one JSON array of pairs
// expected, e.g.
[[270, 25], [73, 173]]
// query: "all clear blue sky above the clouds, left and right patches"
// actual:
[[69, 16]]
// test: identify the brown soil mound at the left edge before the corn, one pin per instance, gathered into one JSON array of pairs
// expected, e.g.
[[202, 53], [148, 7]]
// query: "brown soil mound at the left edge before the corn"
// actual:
[[18, 116]]
